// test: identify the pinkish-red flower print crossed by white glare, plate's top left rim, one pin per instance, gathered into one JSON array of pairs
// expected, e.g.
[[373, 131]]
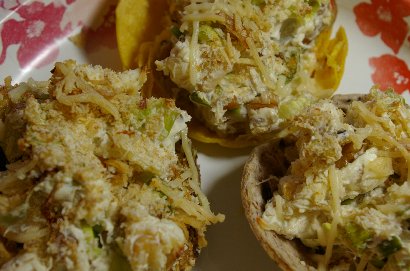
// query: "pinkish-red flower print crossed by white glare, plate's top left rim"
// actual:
[[37, 33]]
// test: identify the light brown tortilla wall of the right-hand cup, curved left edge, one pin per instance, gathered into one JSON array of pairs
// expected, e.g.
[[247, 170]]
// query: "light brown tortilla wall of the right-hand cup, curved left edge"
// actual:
[[264, 161]]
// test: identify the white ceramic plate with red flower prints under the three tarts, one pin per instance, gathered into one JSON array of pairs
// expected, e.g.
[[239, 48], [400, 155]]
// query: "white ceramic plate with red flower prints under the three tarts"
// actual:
[[35, 34]]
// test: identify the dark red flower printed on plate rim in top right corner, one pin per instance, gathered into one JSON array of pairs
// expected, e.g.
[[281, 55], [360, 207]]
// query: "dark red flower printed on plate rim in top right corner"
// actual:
[[384, 17]]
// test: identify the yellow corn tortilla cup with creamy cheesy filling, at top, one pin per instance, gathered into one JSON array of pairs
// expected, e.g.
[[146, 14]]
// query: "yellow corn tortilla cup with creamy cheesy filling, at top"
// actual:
[[240, 68]]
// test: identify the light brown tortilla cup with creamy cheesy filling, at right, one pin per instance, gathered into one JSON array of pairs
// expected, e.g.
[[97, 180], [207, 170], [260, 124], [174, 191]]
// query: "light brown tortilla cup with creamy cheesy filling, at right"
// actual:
[[332, 193]]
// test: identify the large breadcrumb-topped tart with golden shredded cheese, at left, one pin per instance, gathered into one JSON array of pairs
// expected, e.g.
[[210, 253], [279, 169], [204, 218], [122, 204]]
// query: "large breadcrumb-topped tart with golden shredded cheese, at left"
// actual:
[[98, 177]]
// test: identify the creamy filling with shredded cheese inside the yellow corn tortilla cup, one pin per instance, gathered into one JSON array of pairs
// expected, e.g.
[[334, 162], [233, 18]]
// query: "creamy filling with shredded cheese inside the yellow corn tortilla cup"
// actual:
[[244, 54]]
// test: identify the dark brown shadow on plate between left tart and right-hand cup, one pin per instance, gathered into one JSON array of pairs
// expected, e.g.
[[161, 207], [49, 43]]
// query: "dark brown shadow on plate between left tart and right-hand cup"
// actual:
[[231, 244]]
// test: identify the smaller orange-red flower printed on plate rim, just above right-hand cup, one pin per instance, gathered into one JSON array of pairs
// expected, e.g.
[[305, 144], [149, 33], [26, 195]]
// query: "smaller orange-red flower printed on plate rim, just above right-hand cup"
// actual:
[[390, 71]]
